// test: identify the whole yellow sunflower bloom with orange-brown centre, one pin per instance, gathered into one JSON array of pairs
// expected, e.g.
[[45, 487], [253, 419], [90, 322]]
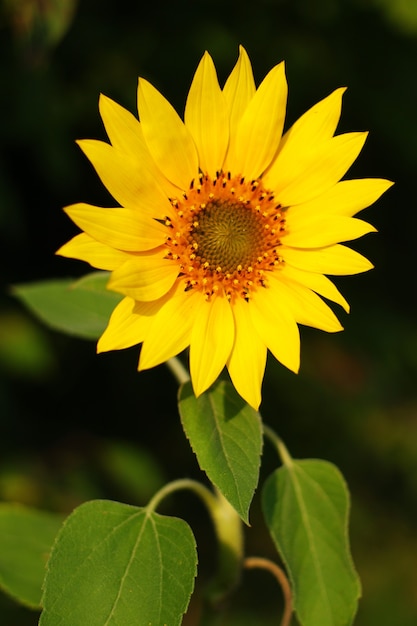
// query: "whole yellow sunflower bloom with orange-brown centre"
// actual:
[[226, 227]]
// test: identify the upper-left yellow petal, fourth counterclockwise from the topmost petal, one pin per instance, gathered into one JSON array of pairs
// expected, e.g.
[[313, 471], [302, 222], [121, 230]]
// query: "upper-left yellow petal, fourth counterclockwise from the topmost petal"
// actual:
[[125, 178]]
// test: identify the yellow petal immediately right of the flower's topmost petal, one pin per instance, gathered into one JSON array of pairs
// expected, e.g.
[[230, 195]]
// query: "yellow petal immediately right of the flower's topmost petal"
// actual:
[[260, 128]]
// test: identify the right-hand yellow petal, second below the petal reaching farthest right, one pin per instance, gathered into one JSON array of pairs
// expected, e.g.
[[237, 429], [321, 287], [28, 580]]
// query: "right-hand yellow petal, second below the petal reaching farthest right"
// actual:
[[337, 260]]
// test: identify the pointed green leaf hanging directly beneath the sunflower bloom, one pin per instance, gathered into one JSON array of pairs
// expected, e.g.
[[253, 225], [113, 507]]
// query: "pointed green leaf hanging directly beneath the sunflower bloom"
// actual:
[[226, 435]]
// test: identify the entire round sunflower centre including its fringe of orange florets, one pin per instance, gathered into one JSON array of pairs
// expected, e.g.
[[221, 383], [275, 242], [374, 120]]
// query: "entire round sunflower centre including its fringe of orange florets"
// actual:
[[225, 234]]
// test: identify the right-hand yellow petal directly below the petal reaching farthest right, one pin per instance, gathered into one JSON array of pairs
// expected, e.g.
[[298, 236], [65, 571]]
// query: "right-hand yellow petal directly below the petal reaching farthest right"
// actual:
[[318, 232]]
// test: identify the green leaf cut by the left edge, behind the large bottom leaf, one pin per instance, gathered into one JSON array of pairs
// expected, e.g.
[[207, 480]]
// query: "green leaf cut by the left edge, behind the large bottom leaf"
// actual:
[[26, 537]]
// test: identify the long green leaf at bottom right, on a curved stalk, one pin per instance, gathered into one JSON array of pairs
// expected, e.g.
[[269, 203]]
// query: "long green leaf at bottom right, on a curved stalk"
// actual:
[[306, 506]]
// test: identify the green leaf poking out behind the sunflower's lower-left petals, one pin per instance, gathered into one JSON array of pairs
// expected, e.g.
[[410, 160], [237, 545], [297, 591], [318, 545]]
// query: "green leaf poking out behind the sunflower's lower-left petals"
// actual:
[[77, 307]]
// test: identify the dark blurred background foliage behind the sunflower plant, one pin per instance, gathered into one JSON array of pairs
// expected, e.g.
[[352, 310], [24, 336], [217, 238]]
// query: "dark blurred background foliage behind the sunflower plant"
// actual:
[[75, 426]]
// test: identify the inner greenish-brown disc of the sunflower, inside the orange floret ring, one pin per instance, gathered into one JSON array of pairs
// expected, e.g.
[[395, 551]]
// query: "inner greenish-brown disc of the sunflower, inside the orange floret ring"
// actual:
[[227, 234]]
